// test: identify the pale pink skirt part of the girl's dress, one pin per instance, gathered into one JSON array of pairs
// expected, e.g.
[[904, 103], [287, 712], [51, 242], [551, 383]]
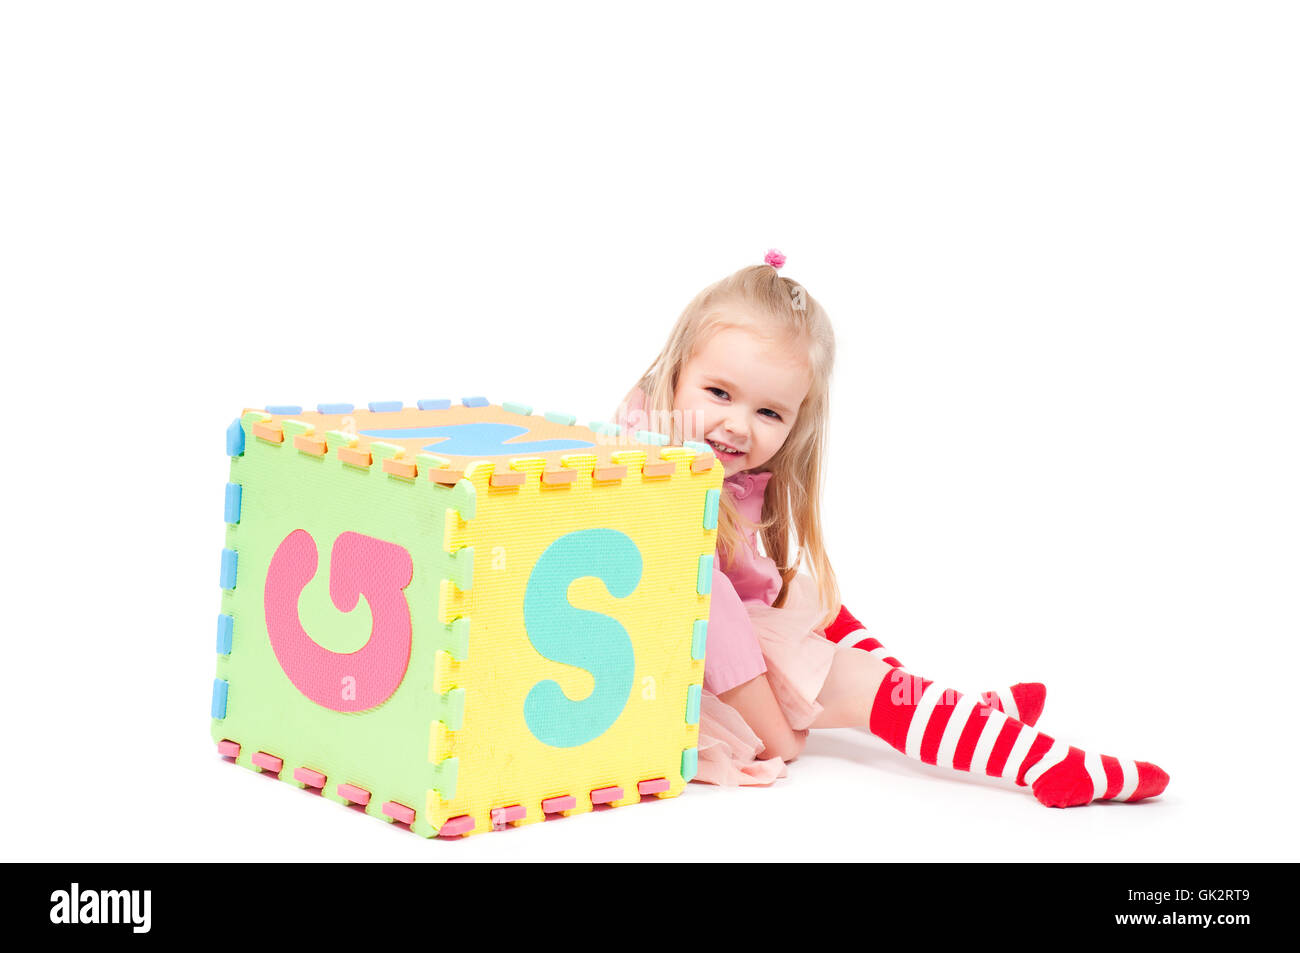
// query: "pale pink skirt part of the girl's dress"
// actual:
[[799, 660]]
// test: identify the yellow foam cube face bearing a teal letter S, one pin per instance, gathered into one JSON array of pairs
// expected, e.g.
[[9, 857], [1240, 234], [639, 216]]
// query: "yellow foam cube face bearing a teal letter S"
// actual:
[[583, 618]]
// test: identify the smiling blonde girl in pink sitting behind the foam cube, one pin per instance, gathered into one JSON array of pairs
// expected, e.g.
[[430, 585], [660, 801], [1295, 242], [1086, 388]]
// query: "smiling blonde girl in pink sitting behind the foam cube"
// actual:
[[747, 370]]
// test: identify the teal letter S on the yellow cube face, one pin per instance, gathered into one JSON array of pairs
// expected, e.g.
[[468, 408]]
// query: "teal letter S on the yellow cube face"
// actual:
[[580, 638]]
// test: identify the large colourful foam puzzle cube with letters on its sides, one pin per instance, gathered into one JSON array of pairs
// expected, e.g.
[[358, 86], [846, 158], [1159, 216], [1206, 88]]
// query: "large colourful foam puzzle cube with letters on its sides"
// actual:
[[463, 617]]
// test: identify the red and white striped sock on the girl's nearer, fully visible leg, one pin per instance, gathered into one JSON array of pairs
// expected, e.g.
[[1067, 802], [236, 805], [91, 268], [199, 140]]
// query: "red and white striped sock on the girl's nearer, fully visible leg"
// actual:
[[951, 730]]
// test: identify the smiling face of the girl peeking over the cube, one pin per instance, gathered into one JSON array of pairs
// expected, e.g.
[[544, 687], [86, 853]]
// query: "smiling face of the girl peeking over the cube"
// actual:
[[742, 395]]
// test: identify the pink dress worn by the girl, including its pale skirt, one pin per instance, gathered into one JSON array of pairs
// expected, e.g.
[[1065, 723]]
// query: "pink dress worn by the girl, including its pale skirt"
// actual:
[[748, 638]]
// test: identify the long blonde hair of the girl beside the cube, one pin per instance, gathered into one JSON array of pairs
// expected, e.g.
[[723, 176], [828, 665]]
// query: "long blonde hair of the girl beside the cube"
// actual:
[[783, 311]]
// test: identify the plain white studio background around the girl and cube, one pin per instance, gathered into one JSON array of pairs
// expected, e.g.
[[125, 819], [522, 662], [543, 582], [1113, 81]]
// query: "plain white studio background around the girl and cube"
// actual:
[[1059, 244]]
